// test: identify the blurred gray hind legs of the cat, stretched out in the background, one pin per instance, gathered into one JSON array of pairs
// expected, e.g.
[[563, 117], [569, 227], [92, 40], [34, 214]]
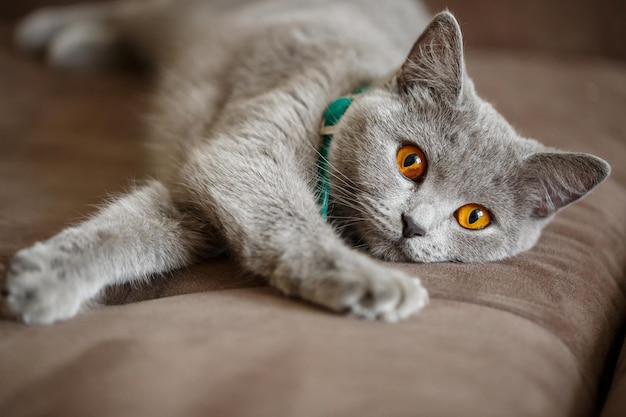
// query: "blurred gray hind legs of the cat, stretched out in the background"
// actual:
[[95, 35]]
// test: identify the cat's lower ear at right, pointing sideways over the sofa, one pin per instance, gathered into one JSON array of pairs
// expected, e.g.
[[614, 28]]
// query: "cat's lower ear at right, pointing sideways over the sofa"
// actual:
[[557, 179]]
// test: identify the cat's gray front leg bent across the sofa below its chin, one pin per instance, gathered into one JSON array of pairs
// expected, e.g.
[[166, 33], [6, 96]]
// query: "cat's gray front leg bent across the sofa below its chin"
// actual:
[[271, 222]]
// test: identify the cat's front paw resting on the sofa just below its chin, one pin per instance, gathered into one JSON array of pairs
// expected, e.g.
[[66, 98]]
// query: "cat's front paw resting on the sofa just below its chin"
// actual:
[[367, 289]]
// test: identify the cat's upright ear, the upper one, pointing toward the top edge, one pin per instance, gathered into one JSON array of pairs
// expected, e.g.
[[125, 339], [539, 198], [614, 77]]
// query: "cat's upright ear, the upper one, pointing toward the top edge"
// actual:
[[436, 61]]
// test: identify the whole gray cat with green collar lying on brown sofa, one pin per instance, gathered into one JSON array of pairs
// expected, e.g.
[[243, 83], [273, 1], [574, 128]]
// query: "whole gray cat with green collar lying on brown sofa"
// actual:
[[255, 151]]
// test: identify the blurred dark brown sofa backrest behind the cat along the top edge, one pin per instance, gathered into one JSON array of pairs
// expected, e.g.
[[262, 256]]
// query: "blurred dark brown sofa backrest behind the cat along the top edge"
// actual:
[[572, 27]]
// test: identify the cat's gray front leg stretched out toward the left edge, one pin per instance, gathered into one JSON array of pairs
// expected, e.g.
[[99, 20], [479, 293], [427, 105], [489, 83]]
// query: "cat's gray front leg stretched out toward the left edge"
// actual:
[[131, 238]]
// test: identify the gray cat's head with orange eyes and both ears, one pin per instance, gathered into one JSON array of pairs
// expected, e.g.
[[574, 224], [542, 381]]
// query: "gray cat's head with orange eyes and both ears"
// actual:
[[424, 170]]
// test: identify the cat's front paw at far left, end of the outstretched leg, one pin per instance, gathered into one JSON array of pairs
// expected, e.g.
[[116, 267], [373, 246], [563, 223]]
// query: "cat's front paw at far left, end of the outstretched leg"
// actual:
[[37, 290]]
